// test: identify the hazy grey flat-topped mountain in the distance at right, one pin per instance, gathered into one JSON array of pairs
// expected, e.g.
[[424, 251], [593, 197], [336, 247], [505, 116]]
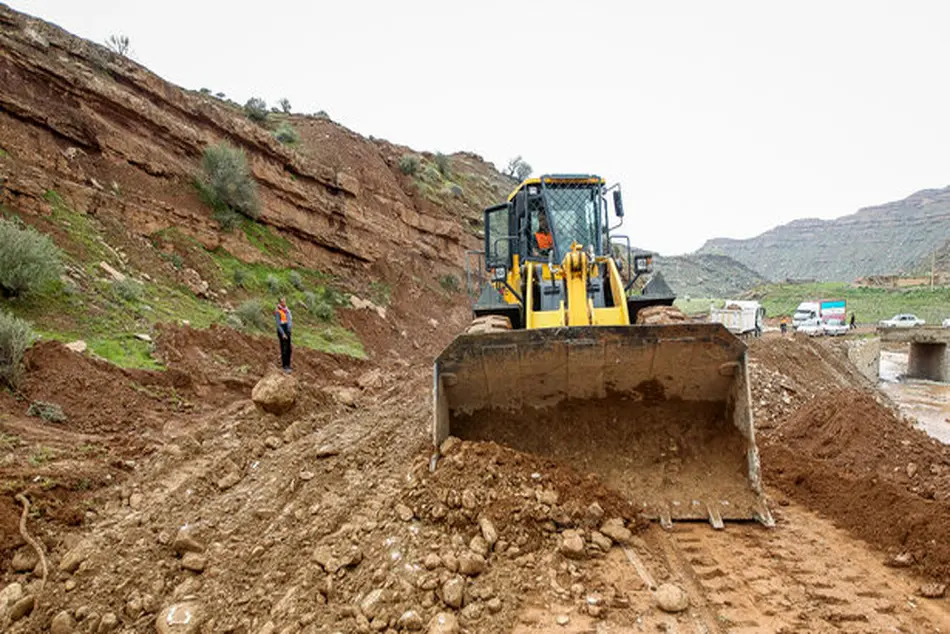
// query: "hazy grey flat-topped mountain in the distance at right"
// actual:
[[886, 239]]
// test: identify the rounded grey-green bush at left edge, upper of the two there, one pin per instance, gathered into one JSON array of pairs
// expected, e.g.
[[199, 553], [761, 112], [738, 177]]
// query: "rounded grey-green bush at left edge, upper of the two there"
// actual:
[[28, 259]]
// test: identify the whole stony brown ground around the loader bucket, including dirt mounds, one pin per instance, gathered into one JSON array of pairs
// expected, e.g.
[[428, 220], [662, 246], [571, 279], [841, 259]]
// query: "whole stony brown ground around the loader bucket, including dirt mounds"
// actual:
[[170, 493]]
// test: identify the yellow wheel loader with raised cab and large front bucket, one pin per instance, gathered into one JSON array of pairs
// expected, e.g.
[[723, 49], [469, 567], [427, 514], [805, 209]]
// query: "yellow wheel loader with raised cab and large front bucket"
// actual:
[[556, 364]]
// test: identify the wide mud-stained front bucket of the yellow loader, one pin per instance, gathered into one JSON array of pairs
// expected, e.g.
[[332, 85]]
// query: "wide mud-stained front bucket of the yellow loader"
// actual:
[[662, 413]]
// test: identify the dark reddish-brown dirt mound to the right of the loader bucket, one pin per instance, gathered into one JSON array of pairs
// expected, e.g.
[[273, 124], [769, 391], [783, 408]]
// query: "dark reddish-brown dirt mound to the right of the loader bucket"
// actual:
[[849, 457]]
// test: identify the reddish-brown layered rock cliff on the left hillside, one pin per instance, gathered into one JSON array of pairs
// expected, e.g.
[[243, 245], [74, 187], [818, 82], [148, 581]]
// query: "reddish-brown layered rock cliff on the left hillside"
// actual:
[[113, 138]]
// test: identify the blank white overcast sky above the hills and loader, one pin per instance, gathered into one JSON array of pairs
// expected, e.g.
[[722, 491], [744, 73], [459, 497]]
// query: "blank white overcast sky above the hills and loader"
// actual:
[[719, 118]]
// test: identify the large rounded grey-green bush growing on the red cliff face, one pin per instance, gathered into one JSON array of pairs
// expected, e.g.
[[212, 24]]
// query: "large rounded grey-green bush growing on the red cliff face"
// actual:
[[226, 184]]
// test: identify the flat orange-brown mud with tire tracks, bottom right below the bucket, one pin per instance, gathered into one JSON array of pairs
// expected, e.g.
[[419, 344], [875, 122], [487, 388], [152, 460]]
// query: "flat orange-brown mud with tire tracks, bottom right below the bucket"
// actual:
[[803, 576]]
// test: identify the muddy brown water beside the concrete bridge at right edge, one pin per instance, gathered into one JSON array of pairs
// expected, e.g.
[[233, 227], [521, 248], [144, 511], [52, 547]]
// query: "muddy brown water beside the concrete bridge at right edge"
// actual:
[[927, 401]]
